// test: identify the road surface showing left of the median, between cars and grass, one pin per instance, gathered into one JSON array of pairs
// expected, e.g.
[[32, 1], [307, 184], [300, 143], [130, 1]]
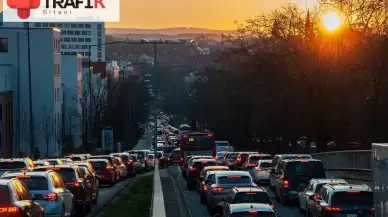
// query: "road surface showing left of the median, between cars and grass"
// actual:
[[107, 194]]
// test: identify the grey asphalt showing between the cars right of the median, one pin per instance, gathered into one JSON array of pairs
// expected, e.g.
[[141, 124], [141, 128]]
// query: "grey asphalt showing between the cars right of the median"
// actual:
[[195, 208]]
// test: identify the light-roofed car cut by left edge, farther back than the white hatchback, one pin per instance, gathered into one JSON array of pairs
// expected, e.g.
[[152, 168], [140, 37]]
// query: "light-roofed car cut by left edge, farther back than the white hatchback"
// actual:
[[16, 164]]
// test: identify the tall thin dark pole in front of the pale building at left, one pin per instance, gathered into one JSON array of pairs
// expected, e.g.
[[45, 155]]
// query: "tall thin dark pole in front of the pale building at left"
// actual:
[[31, 113]]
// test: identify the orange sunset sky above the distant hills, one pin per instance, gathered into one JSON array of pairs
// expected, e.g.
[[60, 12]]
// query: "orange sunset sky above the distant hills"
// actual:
[[210, 14]]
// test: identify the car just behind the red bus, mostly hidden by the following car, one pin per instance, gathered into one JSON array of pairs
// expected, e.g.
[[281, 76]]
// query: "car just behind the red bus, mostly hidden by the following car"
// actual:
[[194, 170]]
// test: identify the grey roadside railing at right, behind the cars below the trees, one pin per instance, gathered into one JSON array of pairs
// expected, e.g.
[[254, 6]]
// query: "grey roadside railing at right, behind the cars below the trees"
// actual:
[[351, 160]]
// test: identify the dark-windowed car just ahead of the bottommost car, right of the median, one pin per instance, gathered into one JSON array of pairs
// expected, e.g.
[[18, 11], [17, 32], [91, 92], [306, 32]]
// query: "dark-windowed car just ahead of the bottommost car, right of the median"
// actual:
[[246, 195]]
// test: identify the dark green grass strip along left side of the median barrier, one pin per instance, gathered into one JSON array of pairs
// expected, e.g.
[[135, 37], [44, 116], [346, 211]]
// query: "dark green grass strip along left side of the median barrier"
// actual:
[[133, 202]]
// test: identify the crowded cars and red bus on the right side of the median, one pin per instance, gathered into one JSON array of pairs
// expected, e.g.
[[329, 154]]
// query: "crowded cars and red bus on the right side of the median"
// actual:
[[233, 183]]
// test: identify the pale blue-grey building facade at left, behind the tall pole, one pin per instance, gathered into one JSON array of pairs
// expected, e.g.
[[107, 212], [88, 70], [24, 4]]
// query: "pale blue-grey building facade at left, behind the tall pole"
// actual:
[[44, 66]]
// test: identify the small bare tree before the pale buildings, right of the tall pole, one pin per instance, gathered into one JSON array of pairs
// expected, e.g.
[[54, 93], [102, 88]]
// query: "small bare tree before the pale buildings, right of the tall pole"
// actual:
[[47, 127]]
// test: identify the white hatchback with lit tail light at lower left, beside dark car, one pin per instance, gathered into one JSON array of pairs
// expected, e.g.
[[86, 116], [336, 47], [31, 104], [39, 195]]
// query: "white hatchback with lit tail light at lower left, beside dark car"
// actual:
[[48, 189]]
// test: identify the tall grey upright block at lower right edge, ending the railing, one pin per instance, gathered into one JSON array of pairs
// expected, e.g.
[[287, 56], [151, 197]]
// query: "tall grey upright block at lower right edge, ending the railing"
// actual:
[[380, 178]]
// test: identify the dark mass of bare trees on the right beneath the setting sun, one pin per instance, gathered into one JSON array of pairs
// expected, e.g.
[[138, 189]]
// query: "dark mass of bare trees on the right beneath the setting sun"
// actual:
[[282, 76]]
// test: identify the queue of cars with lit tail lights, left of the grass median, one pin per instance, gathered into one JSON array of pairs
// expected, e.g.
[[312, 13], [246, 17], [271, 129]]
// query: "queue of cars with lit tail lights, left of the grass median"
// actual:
[[67, 186]]
